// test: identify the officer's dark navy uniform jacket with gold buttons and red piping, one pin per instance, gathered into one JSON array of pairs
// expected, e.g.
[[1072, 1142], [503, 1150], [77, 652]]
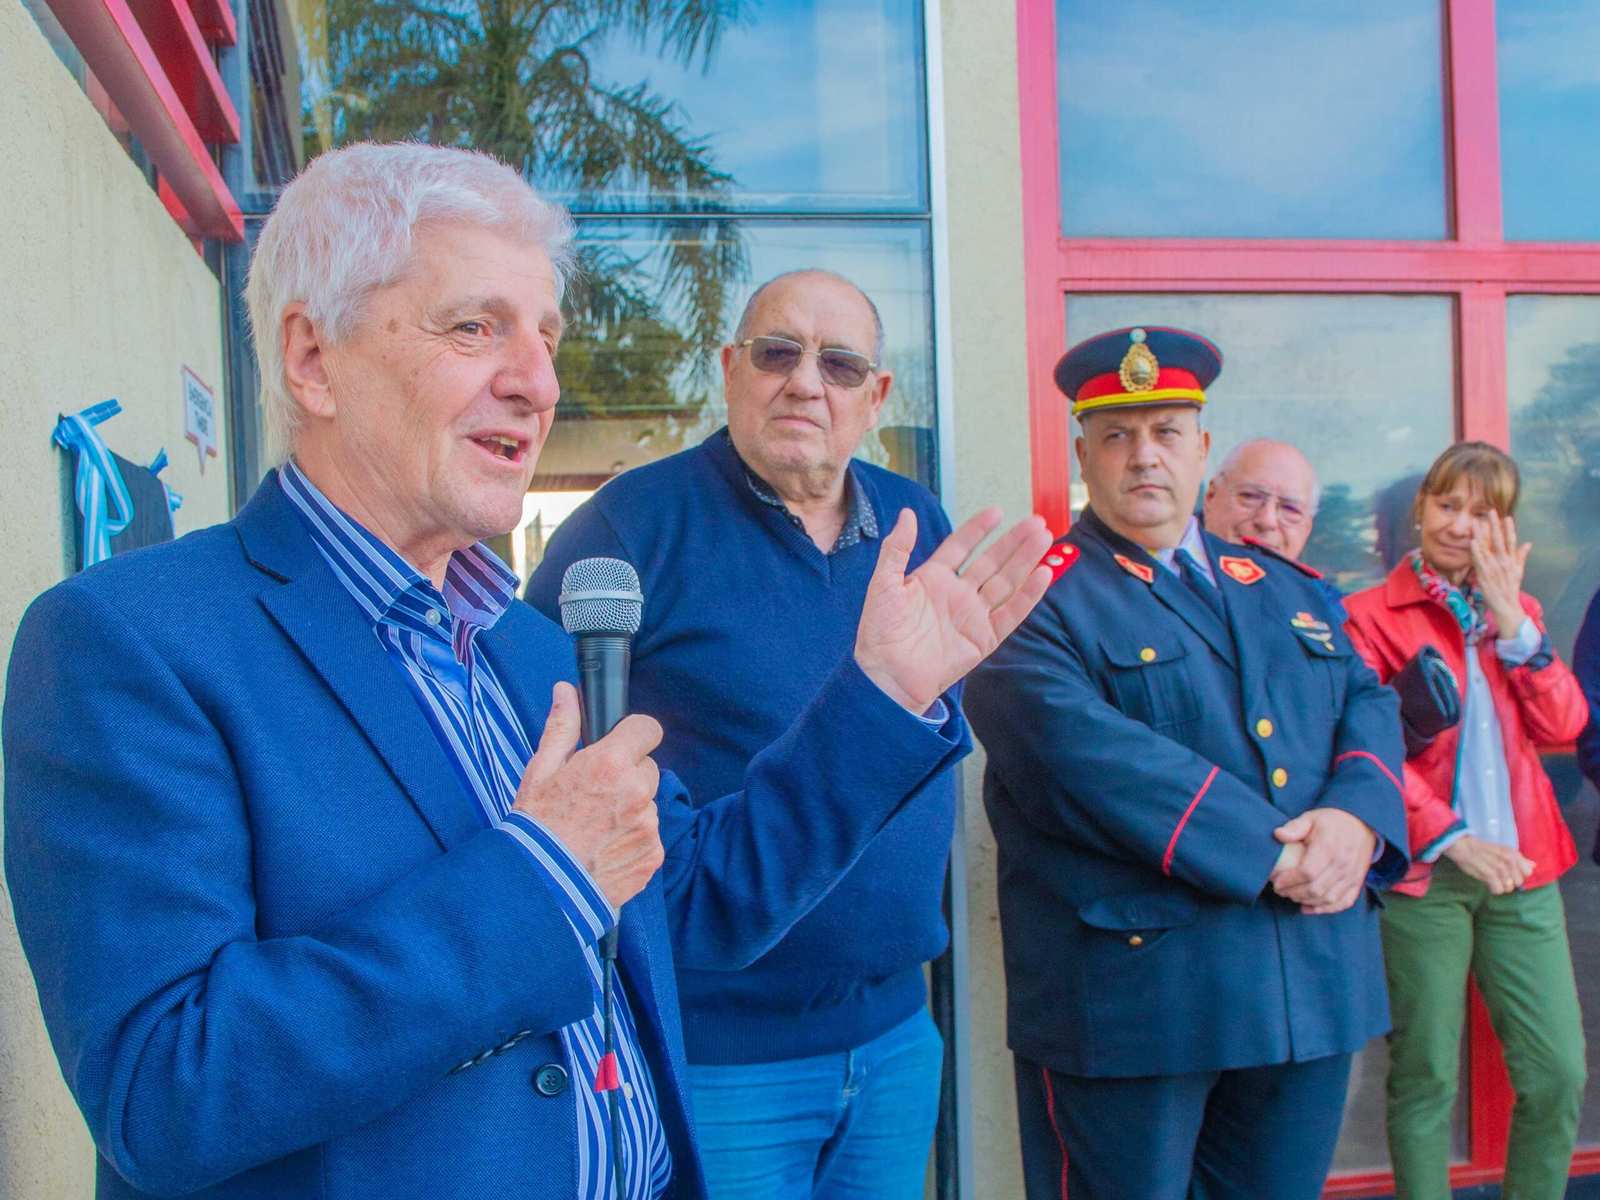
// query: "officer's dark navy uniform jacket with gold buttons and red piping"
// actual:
[[1142, 753]]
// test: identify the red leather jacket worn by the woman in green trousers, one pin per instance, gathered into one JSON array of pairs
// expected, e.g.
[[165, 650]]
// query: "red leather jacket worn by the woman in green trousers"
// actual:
[[1537, 706]]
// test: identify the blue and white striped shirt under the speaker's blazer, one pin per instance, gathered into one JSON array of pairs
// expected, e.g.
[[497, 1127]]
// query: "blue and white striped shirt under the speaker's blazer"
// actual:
[[430, 638]]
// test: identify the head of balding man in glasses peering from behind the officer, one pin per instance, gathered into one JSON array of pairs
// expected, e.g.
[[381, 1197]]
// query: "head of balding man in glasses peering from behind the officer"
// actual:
[[1265, 490]]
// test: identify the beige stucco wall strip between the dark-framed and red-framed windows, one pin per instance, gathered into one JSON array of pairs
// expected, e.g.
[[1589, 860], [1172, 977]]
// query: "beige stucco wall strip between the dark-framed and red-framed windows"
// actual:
[[985, 198]]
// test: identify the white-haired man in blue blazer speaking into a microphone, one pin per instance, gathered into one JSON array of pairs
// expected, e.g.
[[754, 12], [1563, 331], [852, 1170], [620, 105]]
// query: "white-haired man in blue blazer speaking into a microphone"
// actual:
[[305, 854]]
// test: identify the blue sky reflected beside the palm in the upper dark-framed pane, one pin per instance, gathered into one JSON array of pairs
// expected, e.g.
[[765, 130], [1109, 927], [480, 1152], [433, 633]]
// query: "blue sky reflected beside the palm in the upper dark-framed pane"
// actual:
[[807, 105]]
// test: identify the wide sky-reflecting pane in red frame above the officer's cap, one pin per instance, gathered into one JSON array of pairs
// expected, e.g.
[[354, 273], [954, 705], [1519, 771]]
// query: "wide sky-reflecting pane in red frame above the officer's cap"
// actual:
[[1262, 119]]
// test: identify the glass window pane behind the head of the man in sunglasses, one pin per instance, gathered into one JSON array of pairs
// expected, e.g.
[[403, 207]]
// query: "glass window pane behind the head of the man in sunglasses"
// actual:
[[639, 366]]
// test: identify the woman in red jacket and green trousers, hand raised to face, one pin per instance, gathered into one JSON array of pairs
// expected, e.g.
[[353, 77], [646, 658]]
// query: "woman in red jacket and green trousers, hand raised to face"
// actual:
[[1487, 838]]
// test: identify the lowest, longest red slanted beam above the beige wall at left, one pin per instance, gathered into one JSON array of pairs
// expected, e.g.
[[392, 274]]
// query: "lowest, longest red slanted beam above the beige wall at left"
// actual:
[[118, 52]]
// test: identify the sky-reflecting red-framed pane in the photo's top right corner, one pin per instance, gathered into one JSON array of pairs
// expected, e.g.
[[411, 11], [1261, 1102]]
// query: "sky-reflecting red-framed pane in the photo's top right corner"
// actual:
[[1550, 92]]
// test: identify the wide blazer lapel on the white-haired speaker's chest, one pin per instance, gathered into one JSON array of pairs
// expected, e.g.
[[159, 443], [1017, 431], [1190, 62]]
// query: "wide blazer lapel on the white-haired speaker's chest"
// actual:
[[322, 620]]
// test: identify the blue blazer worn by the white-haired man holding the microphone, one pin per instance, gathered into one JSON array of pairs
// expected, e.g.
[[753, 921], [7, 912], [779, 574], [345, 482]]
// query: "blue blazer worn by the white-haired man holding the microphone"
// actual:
[[268, 926]]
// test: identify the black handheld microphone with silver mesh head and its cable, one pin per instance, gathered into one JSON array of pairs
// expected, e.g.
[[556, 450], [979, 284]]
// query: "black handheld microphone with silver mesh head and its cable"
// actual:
[[602, 607]]
